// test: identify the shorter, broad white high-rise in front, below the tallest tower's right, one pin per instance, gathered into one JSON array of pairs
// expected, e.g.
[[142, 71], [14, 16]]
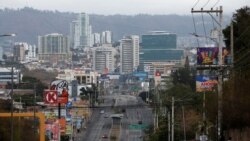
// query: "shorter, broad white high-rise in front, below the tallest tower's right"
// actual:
[[103, 58]]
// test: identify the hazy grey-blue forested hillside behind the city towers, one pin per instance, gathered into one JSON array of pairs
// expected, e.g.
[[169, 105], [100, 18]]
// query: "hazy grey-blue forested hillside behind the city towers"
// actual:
[[28, 23]]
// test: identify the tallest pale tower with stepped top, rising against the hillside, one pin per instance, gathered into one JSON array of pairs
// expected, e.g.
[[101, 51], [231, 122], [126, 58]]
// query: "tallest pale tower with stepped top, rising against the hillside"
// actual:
[[80, 32]]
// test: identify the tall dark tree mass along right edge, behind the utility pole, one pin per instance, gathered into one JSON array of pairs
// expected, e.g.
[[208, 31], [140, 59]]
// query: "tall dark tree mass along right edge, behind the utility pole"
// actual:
[[236, 90]]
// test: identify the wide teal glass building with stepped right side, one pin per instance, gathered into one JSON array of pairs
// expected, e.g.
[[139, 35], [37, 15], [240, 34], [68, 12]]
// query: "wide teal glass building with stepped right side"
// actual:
[[159, 46]]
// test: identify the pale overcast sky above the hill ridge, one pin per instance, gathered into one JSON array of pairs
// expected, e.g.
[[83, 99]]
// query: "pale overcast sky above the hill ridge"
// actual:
[[127, 7]]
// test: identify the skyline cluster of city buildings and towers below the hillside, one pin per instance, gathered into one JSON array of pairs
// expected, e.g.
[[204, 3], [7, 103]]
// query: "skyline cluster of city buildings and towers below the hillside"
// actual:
[[154, 52]]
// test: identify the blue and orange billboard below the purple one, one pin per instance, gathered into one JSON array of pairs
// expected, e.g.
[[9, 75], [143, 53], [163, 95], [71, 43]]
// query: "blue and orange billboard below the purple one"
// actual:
[[206, 83]]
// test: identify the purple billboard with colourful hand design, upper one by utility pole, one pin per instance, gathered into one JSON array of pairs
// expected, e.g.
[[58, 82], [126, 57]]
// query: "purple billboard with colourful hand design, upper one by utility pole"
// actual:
[[210, 56]]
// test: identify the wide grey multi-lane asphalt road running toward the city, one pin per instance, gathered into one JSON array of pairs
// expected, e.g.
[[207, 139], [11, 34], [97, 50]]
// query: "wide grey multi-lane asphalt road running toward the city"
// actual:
[[101, 124]]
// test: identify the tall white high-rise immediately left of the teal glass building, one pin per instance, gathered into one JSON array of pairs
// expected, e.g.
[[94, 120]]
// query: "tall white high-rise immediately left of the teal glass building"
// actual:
[[129, 54]]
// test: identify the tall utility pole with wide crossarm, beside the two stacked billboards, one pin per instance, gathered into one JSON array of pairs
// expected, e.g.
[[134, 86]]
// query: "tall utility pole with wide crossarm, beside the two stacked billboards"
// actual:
[[219, 67]]
